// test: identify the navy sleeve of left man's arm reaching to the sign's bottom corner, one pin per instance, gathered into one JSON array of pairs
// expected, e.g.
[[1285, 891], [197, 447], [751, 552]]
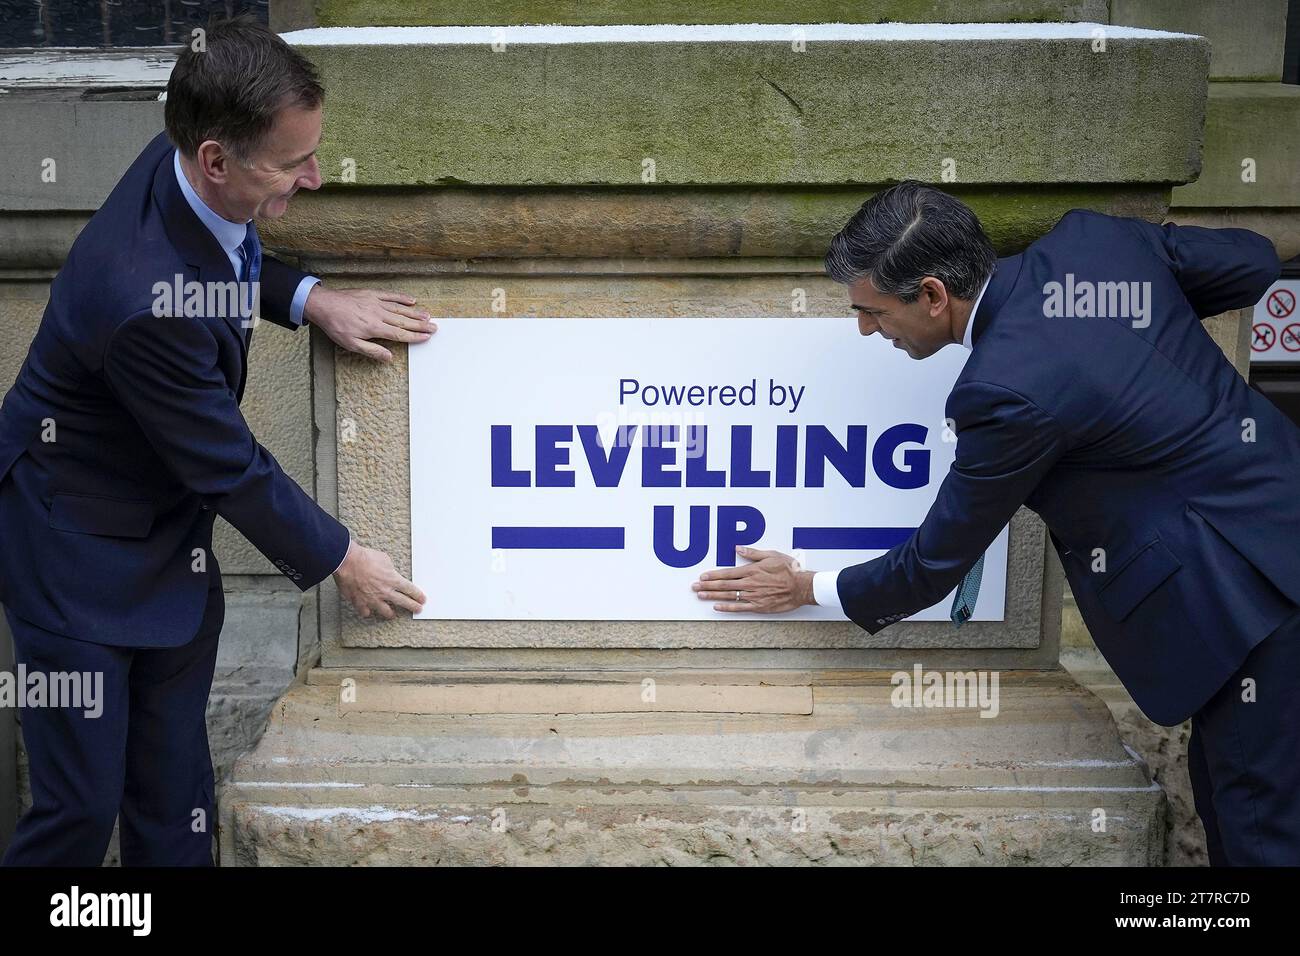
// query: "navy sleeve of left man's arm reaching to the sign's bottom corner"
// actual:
[[166, 373]]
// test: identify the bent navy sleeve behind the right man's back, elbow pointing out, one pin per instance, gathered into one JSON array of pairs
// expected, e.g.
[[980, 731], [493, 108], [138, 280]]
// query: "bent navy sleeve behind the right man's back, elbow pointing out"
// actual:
[[1219, 270]]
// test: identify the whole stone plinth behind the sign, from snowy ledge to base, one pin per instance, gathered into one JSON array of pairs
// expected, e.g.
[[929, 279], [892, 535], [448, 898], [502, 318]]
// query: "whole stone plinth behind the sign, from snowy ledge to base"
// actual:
[[688, 174]]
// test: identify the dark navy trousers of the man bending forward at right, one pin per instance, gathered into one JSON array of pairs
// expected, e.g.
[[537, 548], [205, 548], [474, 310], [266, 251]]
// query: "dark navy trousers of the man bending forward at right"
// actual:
[[1245, 758]]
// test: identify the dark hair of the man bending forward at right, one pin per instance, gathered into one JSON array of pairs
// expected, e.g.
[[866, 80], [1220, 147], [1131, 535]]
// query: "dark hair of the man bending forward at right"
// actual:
[[908, 232]]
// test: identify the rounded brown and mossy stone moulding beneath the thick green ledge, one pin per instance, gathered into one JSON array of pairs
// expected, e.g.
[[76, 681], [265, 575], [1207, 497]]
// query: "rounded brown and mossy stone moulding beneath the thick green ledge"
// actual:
[[457, 223]]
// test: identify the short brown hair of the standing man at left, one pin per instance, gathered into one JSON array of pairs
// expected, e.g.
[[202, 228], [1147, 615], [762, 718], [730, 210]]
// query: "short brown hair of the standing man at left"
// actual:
[[229, 84]]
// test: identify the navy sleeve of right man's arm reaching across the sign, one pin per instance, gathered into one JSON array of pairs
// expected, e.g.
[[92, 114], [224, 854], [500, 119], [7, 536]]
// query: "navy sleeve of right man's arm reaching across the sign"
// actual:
[[1006, 445]]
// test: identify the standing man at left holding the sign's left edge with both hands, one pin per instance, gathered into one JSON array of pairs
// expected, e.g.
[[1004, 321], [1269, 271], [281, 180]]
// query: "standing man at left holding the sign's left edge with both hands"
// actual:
[[122, 442]]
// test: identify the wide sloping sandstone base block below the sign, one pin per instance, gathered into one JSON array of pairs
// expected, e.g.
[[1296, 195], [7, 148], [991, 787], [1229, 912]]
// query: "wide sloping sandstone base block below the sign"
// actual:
[[859, 780]]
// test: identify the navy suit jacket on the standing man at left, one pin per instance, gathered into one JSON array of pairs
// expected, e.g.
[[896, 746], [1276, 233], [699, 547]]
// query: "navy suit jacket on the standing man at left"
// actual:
[[122, 439]]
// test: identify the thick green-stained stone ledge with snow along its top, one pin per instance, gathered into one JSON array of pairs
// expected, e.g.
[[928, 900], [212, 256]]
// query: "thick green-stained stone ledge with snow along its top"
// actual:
[[760, 105]]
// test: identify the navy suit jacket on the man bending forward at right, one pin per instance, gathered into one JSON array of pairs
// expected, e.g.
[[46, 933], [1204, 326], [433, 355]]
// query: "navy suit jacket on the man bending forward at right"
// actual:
[[1169, 486]]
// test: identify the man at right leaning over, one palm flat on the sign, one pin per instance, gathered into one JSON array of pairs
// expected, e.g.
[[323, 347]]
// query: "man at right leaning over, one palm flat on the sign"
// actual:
[[1095, 397]]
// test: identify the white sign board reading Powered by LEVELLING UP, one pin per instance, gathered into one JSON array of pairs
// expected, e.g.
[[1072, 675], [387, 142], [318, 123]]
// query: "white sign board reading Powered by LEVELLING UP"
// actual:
[[592, 469]]
